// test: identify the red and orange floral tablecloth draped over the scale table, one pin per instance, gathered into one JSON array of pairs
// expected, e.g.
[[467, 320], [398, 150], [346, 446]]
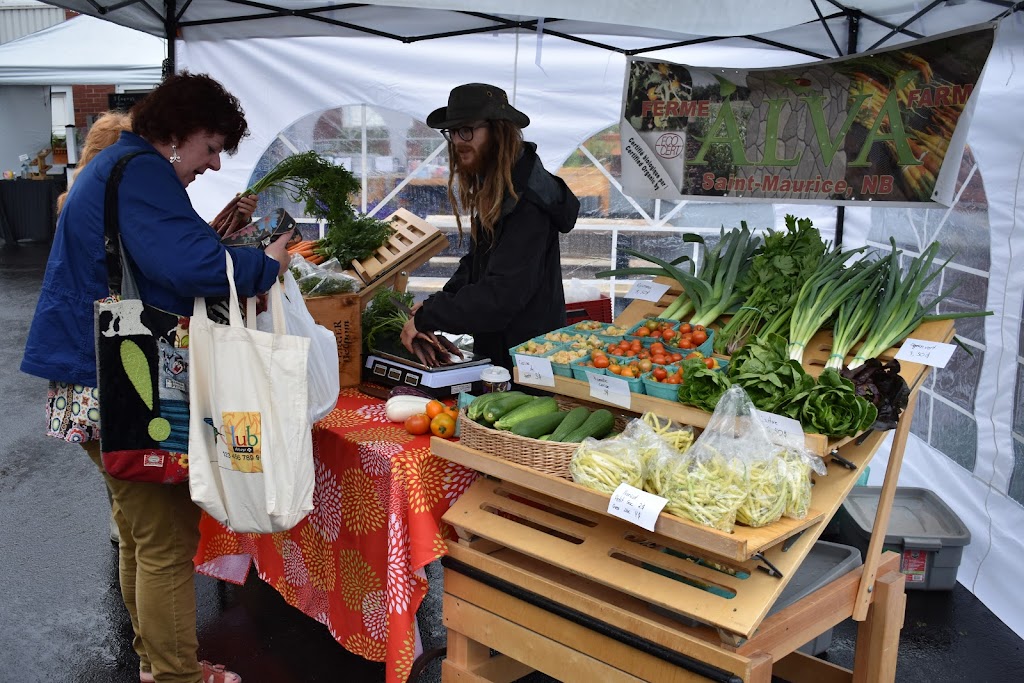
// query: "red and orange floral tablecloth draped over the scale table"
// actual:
[[352, 564]]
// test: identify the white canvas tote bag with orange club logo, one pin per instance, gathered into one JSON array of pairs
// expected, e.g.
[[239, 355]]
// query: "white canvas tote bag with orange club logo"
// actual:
[[250, 445]]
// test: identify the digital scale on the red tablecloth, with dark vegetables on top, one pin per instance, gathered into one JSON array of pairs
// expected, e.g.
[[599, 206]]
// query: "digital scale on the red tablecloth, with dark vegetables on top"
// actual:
[[392, 370]]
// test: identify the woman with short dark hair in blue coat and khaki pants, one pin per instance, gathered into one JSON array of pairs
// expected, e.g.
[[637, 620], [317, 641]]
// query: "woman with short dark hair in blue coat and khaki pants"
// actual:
[[183, 127]]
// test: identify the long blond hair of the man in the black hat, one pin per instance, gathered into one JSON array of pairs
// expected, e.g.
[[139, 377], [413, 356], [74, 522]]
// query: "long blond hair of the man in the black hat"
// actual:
[[483, 197]]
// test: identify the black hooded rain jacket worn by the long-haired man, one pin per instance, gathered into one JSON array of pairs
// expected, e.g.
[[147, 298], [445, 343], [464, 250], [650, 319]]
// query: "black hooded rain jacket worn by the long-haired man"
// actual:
[[509, 290]]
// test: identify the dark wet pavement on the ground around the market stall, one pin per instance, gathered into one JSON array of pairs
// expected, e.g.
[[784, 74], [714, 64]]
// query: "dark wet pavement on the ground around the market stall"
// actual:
[[62, 620]]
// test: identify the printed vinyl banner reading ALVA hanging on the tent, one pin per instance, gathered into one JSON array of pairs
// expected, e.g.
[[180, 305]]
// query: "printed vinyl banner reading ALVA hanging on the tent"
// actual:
[[888, 126]]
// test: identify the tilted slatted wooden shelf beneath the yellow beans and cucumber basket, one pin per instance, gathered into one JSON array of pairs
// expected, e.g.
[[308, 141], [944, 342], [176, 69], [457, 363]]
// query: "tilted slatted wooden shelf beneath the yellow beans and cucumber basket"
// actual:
[[487, 511]]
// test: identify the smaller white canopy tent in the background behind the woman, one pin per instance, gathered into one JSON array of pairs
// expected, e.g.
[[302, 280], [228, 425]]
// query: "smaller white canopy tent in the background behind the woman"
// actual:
[[83, 51]]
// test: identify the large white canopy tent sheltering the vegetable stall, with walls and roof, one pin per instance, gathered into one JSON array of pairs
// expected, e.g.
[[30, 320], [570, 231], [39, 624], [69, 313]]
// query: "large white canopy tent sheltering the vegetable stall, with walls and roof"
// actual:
[[567, 72]]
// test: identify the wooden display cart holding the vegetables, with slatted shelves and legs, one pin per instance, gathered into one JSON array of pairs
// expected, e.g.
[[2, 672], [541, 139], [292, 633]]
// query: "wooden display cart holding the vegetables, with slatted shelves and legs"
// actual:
[[542, 575]]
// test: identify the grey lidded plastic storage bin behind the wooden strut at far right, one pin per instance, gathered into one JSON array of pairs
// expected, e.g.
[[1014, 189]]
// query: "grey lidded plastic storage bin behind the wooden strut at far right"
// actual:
[[922, 529]]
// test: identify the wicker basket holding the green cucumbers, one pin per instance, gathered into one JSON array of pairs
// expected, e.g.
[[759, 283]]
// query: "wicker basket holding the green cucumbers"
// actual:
[[550, 458]]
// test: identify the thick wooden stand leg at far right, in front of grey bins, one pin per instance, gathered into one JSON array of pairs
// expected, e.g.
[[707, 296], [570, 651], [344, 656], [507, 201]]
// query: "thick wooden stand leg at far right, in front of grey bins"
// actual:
[[878, 636]]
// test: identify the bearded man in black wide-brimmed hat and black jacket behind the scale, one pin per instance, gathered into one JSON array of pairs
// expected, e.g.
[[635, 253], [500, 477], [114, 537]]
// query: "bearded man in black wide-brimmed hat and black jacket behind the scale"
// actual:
[[508, 289]]
